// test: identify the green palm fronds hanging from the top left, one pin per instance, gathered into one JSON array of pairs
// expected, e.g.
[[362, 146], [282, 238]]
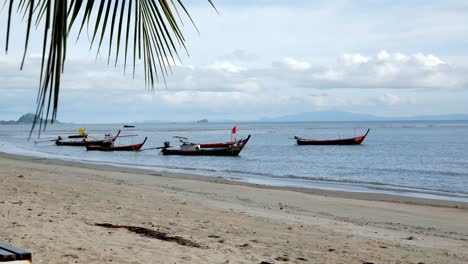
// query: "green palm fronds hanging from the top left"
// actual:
[[146, 30]]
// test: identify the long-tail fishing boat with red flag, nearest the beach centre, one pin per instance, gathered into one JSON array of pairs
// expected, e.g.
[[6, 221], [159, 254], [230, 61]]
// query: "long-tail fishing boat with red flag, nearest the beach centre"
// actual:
[[189, 149]]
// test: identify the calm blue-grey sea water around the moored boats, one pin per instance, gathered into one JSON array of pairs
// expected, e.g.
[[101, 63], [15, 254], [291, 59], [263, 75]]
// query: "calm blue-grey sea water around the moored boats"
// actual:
[[420, 159]]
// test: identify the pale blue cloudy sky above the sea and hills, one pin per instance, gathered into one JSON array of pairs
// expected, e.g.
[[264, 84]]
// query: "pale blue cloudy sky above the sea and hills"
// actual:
[[263, 58]]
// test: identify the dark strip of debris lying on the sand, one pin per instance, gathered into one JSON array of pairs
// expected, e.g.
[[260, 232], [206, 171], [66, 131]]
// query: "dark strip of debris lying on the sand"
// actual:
[[154, 234]]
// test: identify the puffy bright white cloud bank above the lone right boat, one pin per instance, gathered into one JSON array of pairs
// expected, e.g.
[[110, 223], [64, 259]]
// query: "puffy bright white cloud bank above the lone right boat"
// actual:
[[384, 70]]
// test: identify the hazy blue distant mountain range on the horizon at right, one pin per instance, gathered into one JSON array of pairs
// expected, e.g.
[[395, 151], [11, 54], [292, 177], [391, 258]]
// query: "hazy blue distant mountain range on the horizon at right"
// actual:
[[340, 116]]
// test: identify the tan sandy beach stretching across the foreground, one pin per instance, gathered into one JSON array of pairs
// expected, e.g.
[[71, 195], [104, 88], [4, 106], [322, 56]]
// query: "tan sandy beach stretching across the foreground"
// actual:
[[65, 212]]
